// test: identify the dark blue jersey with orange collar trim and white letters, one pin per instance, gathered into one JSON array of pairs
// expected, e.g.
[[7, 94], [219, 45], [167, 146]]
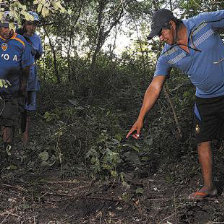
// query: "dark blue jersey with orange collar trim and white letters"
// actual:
[[15, 56]]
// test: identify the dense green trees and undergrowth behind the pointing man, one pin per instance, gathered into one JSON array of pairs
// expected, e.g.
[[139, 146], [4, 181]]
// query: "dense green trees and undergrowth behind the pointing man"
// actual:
[[90, 96]]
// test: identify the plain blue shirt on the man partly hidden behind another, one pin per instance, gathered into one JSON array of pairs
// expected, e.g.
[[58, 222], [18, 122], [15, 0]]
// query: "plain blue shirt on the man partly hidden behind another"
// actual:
[[36, 47]]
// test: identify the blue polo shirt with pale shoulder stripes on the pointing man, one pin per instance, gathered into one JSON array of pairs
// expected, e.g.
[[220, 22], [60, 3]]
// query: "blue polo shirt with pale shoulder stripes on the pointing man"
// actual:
[[200, 63]]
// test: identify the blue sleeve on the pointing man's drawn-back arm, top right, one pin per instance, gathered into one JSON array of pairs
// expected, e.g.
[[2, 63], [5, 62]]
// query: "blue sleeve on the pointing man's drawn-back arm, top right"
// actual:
[[215, 19]]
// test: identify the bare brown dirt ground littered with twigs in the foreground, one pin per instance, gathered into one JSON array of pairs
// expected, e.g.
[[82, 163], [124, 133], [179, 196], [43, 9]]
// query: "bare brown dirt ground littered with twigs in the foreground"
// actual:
[[45, 198]]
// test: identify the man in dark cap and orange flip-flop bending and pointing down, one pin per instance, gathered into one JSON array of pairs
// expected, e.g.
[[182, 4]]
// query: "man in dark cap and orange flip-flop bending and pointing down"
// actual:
[[194, 47]]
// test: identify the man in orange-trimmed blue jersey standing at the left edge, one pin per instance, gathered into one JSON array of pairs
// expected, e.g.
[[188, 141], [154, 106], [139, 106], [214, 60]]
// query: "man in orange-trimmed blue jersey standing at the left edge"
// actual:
[[15, 62]]
